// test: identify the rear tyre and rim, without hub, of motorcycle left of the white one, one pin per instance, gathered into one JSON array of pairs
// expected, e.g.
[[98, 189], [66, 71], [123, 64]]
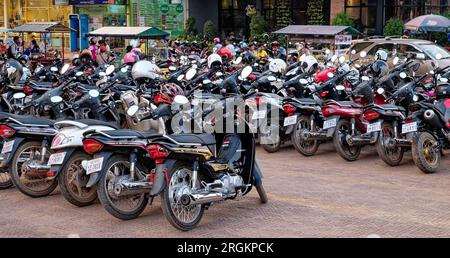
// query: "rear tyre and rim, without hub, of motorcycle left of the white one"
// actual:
[[35, 188]]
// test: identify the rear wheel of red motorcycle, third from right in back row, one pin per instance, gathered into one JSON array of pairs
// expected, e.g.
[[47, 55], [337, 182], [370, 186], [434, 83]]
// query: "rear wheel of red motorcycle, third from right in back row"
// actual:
[[349, 153]]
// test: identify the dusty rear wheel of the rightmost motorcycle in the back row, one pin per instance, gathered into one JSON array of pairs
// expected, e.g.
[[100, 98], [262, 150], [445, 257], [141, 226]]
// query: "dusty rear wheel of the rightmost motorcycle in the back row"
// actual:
[[427, 162]]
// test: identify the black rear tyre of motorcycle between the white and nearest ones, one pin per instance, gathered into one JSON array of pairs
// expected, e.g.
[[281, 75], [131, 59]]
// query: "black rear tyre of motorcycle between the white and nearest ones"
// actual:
[[104, 196]]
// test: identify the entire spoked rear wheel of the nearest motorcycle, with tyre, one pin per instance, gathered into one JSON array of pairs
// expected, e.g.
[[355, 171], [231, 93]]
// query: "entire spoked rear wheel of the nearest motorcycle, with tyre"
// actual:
[[181, 216]]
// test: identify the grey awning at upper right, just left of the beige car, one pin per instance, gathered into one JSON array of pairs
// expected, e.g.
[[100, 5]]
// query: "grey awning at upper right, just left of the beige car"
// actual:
[[316, 30]]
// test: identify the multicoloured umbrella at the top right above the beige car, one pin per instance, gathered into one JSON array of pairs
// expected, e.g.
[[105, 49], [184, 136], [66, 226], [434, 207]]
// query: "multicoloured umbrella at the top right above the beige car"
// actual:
[[428, 23]]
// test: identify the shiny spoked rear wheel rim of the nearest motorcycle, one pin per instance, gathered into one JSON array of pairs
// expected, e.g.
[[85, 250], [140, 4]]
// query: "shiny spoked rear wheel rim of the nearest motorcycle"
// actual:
[[180, 184]]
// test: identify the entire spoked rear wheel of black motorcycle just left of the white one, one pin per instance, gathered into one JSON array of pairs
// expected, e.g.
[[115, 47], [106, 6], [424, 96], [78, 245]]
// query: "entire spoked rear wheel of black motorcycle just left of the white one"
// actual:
[[31, 182]]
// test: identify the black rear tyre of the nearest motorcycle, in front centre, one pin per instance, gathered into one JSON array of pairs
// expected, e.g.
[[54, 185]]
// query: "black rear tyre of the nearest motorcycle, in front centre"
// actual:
[[167, 207]]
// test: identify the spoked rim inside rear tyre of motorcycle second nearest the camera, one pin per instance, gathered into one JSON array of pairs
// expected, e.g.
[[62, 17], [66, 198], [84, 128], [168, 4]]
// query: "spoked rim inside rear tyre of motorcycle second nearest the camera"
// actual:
[[126, 204]]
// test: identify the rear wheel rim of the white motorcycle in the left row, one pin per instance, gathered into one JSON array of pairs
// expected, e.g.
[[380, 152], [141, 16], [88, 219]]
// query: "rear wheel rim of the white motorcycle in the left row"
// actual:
[[77, 180]]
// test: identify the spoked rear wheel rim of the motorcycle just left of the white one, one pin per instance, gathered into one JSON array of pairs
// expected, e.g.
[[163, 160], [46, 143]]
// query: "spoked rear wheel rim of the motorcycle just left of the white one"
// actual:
[[30, 154]]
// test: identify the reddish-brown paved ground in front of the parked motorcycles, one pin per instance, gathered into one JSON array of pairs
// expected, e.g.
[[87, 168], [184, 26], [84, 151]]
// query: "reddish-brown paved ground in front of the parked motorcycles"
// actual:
[[309, 197]]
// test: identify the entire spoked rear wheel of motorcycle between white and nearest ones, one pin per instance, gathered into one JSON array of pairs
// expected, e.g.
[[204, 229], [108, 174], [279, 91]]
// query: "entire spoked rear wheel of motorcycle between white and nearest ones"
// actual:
[[124, 207]]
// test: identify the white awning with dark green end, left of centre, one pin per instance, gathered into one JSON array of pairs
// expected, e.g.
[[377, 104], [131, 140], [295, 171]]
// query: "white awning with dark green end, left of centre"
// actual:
[[130, 32]]
